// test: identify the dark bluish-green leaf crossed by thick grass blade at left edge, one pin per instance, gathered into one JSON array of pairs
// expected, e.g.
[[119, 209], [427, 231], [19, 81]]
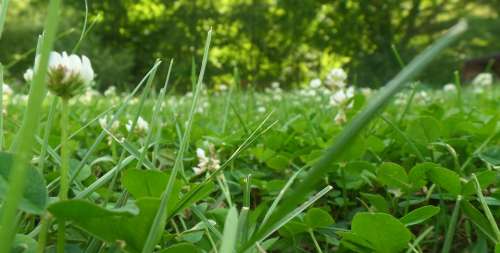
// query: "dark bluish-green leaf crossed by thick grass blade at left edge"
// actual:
[[35, 196]]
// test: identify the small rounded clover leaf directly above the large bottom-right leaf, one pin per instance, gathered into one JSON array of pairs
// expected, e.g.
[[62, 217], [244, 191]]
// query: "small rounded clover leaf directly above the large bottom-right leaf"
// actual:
[[392, 175]]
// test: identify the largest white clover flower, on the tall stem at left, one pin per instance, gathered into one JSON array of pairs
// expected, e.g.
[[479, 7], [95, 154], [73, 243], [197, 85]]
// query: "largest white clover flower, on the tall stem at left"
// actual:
[[69, 74]]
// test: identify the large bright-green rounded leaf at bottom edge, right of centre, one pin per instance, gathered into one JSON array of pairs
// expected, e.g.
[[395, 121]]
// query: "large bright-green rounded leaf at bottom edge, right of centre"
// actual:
[[385, 233]]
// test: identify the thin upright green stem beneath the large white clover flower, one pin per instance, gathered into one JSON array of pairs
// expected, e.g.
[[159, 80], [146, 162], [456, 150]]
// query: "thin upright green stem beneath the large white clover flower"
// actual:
[[64, 186]]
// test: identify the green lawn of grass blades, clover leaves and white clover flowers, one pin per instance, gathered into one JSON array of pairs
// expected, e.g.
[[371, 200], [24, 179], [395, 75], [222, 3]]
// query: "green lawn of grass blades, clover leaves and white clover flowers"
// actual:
[[326, 168]]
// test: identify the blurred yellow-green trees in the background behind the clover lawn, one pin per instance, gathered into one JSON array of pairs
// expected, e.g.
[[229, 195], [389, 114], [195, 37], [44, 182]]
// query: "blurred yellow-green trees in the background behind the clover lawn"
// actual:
[[285, 41]]
